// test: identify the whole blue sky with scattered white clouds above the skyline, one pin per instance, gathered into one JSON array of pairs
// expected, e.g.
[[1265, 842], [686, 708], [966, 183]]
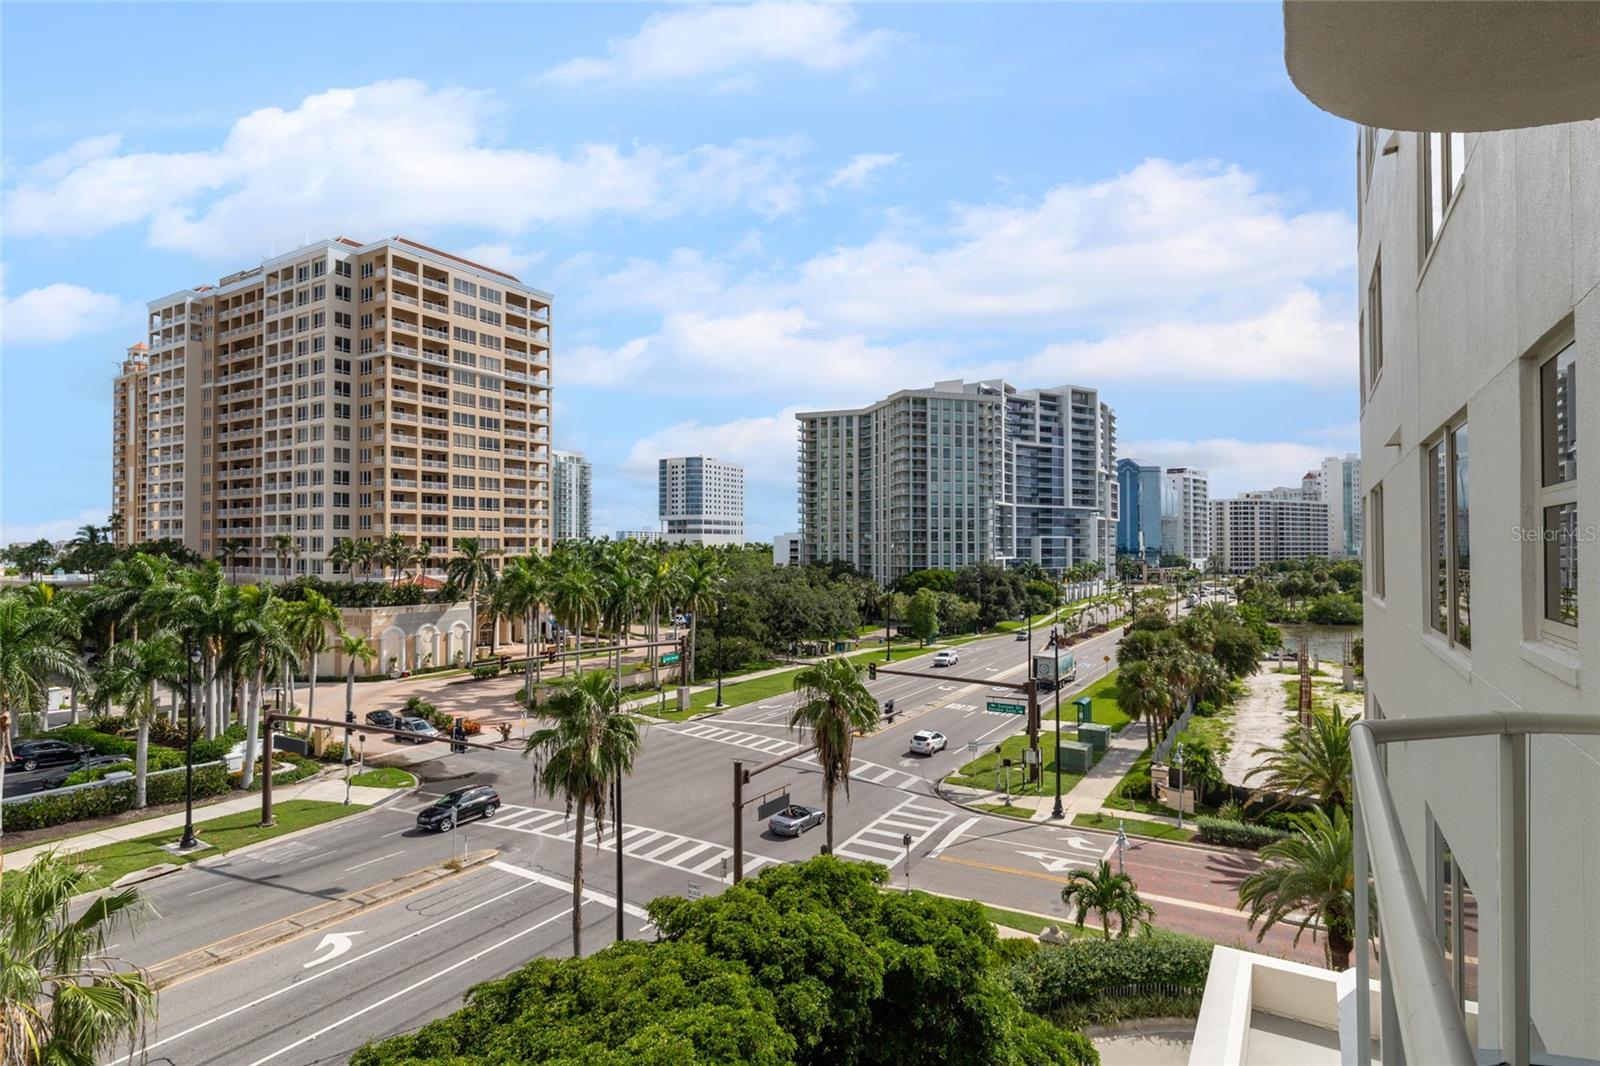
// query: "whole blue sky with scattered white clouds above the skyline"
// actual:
[[742, 212]]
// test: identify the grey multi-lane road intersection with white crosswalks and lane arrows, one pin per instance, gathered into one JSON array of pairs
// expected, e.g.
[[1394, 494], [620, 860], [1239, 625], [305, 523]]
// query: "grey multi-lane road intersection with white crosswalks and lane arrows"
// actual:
[[319, 996]]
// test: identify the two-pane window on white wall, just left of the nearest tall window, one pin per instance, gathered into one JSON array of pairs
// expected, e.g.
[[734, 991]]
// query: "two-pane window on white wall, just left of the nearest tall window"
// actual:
[[1449, 542]]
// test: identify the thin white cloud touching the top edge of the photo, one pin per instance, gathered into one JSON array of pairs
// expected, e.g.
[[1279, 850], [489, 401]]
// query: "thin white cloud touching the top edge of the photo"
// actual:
[[729, 39]]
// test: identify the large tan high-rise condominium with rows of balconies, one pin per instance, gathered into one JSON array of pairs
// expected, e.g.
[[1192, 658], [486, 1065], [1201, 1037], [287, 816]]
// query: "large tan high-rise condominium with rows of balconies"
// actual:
[[340, 391]]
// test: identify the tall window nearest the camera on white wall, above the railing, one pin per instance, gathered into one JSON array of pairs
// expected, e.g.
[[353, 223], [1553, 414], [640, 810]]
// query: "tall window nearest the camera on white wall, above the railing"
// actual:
[[1559, 491]]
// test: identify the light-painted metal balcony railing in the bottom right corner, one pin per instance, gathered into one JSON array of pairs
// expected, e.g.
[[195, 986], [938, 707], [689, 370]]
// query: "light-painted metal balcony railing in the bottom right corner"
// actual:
[[1418, 1000]]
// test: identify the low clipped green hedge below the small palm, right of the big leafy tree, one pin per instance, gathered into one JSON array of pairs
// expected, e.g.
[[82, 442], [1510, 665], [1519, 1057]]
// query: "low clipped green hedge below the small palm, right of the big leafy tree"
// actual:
[[1087, 969]]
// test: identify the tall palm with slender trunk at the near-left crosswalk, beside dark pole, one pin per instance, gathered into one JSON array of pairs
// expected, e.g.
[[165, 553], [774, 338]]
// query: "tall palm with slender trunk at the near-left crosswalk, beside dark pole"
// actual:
[[588, 745]]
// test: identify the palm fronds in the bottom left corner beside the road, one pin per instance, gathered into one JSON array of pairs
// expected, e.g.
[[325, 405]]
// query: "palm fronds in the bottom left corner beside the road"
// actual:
[[65, 1001]]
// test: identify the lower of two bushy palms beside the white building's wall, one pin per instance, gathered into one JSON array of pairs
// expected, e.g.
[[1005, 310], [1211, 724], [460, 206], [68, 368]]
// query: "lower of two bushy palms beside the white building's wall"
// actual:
[[1308, 880]]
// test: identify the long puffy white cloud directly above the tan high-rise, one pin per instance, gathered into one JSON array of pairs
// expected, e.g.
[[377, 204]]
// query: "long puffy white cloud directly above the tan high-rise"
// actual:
[[348, 161]]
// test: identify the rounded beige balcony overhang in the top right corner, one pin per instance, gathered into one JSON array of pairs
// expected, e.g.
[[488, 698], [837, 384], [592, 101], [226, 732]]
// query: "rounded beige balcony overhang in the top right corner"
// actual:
[[1463, 66]]
